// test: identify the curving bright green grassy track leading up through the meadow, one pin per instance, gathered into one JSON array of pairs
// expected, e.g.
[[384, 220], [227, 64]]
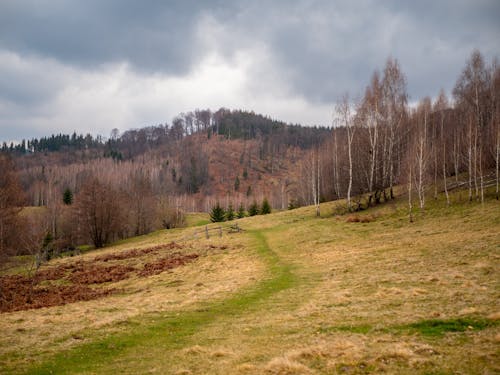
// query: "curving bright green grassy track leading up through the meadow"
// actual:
[[172, 331]]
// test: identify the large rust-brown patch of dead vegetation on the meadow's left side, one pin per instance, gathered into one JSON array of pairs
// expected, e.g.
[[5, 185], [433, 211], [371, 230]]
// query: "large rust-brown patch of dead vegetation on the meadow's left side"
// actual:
[[17, 292]]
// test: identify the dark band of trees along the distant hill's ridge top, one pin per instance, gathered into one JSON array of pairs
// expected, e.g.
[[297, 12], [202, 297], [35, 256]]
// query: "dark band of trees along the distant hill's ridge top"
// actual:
[[236, 124]]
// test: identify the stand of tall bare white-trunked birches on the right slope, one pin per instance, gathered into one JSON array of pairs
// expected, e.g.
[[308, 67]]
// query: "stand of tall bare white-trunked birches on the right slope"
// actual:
[[380, 141]]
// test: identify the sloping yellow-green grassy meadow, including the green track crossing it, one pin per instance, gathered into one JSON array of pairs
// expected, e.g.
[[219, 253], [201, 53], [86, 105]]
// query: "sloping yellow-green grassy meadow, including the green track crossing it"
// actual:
[[291, 294]]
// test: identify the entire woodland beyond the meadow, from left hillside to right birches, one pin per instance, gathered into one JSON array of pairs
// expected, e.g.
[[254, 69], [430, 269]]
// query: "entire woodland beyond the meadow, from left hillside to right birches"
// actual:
[[62, 191]]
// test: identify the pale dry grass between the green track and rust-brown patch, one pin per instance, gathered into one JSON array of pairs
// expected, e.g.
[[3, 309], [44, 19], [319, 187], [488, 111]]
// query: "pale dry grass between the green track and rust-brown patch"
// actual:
[[214, 275]]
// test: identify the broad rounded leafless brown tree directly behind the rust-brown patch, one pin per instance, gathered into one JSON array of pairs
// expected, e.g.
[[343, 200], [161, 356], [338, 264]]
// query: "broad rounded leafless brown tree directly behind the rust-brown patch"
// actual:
[[99, 212]]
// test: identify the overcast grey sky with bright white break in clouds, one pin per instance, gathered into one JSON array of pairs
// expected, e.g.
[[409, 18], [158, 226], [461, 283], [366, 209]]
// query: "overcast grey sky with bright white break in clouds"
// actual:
[[94, 65]]
